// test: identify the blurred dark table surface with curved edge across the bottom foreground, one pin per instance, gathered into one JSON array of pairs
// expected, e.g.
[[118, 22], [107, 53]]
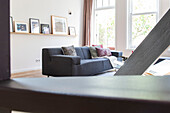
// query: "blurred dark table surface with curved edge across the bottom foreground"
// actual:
[[134, 94]]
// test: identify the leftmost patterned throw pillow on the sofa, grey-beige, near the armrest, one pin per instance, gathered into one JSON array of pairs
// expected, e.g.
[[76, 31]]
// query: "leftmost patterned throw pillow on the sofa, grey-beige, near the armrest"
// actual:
[[69, 51]]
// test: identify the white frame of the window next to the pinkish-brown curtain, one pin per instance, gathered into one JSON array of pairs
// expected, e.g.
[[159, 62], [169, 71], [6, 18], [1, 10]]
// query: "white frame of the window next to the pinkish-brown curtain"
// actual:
[[94, 35]]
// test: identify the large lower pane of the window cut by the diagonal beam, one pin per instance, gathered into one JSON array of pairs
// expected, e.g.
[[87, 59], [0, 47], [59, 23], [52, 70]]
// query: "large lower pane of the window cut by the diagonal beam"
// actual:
[[141, 26]]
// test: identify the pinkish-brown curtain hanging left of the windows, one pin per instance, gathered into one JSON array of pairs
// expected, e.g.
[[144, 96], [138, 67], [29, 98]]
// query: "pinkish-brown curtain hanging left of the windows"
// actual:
[[87, 22]]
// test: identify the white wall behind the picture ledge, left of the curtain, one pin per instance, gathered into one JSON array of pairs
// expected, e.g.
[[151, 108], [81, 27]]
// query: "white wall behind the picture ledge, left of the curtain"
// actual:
[[26, 49]]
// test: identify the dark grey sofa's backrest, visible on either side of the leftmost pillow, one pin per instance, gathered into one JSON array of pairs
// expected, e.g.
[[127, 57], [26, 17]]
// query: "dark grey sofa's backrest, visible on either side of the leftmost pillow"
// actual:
[[83, 52]]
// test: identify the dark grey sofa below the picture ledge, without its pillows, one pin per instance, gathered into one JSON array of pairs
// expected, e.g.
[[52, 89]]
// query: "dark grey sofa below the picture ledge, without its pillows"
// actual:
[[54, 63]]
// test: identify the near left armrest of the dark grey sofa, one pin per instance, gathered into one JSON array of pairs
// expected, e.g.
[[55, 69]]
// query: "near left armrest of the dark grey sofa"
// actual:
[[66, 59]]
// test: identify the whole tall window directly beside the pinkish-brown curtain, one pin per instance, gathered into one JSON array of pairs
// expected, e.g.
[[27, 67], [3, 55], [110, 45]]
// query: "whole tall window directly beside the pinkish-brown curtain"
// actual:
[[104, 23]]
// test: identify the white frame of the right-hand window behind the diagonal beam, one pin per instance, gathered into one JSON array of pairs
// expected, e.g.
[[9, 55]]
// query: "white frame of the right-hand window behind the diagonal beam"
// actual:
[[129, 22]]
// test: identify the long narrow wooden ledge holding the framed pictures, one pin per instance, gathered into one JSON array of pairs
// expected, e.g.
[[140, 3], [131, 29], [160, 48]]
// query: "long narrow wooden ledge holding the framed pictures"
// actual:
[[41, 34]]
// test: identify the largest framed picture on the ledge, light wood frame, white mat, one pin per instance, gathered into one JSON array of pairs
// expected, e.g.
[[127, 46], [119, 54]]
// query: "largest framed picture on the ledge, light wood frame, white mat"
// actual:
[[59, 25]]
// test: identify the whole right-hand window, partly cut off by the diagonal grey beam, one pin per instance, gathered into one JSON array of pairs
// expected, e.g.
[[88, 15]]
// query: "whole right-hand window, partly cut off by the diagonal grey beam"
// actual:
[[143, 16]]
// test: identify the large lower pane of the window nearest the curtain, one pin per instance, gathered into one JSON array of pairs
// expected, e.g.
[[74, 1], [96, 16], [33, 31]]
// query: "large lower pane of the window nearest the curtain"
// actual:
[[105, 27]]
